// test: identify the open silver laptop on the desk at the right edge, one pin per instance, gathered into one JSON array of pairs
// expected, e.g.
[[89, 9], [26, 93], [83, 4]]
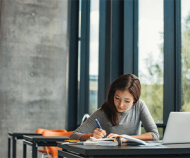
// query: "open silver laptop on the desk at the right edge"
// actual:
[[177, 128]]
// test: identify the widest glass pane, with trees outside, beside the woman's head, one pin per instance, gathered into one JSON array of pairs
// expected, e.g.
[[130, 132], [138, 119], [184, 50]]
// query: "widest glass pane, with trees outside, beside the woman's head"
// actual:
[[151, 55]]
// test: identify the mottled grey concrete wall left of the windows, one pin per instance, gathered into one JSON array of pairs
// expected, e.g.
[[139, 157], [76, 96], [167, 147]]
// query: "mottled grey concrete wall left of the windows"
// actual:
[[33, 67]]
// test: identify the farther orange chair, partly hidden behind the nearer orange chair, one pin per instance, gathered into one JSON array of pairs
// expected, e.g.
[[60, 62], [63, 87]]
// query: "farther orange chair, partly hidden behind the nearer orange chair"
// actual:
[[46, 150]]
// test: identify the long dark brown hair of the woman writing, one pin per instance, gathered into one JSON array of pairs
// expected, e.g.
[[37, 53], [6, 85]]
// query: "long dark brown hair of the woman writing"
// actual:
[[125, 82]]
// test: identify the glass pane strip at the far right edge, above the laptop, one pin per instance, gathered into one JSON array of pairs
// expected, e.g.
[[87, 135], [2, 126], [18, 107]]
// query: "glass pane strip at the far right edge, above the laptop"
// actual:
[[185, 31]]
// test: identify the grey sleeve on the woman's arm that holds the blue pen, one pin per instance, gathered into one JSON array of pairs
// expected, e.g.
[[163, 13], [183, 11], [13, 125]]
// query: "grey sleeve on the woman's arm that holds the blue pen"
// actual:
[[87, 127]]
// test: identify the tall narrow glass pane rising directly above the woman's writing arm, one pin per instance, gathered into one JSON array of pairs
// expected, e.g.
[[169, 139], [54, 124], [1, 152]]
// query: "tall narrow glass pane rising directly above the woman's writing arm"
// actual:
[[93, 63]]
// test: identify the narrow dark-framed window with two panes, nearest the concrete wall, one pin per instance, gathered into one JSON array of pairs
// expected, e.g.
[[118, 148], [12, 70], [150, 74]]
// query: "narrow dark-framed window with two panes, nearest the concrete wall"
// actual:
[[88, 44]]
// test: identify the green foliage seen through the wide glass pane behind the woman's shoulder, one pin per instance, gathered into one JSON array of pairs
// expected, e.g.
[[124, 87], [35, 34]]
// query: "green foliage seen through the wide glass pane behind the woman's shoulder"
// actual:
[[152, 85]]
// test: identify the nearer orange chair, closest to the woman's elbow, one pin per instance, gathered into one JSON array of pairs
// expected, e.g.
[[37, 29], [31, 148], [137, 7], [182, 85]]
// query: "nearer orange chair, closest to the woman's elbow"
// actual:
[[53, 151]]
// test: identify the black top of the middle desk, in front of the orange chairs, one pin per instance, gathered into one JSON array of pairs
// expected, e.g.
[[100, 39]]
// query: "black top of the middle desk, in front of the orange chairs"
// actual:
[[46, 139]]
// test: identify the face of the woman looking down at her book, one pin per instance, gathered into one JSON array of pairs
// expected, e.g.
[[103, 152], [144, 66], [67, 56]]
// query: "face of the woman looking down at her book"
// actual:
[[123, 100]]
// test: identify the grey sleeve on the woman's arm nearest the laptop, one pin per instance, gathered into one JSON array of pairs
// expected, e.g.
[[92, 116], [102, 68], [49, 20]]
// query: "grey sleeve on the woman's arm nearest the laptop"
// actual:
[[148, 122]]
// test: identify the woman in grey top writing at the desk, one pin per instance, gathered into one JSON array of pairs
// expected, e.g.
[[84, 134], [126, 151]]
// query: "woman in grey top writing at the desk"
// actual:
[[122, 113]]
